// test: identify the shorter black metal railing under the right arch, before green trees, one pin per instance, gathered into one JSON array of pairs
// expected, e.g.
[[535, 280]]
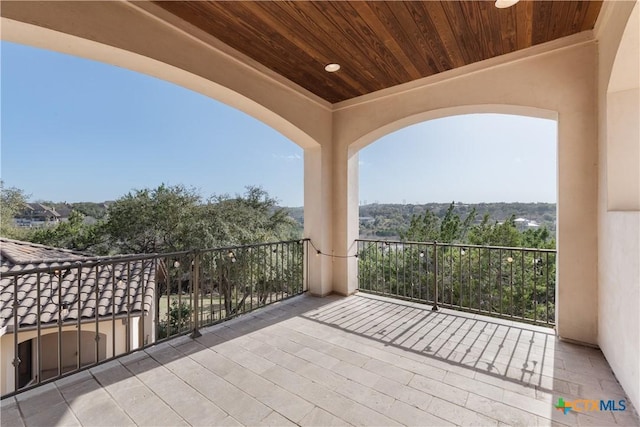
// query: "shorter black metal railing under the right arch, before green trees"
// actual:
[[512, 283]]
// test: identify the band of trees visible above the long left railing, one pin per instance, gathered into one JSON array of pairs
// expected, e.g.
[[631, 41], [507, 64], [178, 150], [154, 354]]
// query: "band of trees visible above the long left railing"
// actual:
[[162, 219]]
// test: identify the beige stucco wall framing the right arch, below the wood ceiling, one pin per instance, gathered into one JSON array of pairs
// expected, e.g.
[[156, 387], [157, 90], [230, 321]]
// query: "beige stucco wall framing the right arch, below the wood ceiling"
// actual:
[[560, 84]]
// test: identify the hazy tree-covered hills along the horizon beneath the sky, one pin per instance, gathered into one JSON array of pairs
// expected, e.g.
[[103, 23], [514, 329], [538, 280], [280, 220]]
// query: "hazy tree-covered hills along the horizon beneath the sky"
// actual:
[[386, 220]]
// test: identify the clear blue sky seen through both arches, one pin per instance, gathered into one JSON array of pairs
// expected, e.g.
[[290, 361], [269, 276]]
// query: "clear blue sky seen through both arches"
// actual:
[[78, 130]]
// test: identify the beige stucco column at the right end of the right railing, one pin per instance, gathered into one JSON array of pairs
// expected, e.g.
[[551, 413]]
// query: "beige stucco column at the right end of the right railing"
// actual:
[[577, 292]]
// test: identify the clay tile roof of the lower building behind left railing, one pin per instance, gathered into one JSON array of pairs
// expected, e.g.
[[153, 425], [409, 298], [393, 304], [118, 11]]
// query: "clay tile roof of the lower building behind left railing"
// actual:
[[72, 281]]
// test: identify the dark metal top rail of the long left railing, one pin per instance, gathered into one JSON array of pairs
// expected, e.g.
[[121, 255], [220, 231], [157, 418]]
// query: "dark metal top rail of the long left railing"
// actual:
[[91, 262]]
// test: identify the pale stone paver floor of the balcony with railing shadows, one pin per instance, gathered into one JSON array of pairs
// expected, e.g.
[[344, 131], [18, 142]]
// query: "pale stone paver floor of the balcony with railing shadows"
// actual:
[[360, 360]]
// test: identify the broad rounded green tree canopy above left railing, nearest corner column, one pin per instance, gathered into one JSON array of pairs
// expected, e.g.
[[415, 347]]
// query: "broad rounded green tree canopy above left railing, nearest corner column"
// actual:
[[175, 218]]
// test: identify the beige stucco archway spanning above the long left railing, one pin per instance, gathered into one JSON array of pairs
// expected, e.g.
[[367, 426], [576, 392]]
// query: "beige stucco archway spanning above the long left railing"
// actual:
[[125, 35]]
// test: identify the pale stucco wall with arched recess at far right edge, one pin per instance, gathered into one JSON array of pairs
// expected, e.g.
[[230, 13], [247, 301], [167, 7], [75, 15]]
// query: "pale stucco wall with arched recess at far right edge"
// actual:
[[618, 208]]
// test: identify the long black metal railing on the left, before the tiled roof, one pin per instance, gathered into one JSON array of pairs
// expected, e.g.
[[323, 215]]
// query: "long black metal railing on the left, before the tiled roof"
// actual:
[[67, 315]]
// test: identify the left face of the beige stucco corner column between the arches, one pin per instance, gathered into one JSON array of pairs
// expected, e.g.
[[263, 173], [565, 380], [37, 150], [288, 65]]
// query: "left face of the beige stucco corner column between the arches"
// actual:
[[317, 217]]
